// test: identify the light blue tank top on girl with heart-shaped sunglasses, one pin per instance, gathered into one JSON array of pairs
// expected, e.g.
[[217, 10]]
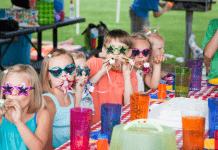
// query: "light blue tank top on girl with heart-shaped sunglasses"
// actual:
[[61, 122]]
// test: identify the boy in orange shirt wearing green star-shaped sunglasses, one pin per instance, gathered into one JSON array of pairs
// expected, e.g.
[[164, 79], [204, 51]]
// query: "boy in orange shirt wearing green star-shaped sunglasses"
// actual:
[[113, 77]]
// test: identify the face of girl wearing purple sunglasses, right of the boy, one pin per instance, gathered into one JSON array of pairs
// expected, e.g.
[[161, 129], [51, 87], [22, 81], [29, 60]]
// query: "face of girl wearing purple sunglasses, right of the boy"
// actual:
[[141, 45]]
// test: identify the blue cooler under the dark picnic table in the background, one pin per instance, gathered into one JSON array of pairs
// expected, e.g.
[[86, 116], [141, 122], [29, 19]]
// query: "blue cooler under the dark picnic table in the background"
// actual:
[[18, 52]]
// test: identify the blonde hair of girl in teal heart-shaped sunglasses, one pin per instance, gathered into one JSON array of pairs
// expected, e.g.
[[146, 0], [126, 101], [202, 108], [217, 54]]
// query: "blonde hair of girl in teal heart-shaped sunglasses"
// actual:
[[46, 86]]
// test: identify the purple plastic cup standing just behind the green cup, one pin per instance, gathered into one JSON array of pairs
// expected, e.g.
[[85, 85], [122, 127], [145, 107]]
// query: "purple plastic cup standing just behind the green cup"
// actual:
[[195, 81]]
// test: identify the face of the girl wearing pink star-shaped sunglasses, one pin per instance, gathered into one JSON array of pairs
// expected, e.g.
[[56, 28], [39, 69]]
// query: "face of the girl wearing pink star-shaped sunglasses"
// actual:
[[17, 79]]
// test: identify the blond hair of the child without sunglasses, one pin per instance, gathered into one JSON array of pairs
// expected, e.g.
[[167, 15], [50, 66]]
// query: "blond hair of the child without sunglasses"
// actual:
[[152, 36]]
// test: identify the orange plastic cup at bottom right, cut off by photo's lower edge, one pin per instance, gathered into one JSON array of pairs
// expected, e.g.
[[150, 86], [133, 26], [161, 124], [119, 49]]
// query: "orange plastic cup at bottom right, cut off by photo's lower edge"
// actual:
[[193, 132]]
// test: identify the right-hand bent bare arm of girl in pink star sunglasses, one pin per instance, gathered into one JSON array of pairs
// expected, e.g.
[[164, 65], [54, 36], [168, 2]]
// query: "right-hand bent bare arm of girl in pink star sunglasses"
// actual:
[[33, 141]]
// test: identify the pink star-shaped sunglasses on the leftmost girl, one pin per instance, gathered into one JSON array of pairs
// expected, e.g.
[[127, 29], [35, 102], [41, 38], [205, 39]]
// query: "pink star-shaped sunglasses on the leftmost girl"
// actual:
[[23, 89]]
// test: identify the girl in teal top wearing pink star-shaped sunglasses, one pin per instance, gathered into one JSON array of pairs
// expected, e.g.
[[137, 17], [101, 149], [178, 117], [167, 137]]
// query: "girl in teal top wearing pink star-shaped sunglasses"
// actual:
[[25, 123]]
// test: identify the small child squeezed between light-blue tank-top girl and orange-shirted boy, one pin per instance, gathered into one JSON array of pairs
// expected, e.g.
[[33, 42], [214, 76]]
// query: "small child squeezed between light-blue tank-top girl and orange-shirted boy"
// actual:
[[82, 73]]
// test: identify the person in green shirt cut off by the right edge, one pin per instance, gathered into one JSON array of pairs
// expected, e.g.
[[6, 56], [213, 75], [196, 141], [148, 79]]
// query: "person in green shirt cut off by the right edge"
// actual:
[[210, 47]]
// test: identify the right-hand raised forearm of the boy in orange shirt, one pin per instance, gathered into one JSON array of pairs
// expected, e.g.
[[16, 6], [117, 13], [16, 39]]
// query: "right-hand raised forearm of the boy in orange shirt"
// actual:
[[128, 89]]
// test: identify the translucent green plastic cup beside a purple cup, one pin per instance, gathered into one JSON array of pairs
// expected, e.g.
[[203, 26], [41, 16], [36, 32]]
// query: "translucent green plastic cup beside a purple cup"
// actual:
[[182, 81]]
